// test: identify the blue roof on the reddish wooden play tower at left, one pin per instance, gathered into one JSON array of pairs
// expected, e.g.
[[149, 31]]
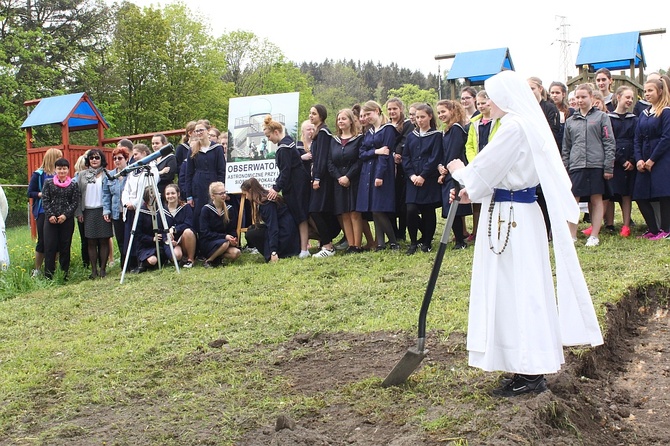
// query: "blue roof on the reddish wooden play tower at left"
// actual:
[[76, 110]]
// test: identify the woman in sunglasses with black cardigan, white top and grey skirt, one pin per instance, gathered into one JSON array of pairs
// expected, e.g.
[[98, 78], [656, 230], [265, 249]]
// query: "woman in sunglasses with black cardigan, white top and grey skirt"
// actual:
[[97, 229]]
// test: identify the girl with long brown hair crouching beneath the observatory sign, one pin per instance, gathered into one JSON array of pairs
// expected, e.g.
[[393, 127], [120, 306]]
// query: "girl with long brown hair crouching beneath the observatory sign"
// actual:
[[276, 232]]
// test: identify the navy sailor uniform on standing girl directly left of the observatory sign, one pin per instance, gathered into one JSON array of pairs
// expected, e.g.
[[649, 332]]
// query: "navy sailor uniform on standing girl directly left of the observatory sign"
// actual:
[[203, 169]]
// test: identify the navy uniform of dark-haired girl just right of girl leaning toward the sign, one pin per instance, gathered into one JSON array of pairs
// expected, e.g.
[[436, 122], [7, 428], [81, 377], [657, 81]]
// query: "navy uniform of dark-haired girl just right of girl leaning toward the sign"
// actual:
[[321, 199]]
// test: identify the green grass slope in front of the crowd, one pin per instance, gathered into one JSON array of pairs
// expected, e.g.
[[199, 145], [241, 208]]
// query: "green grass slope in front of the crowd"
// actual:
[[136, 355]]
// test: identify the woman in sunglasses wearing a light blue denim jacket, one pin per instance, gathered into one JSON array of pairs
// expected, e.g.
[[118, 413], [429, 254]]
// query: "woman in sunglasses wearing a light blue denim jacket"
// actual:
[[112, 210]]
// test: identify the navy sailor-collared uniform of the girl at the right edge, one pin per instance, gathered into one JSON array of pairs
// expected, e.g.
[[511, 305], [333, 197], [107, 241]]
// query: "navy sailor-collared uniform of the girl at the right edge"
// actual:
[[652, 141]]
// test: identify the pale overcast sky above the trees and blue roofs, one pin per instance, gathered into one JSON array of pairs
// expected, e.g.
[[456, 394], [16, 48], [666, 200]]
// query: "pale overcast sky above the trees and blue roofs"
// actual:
[[411, 33]]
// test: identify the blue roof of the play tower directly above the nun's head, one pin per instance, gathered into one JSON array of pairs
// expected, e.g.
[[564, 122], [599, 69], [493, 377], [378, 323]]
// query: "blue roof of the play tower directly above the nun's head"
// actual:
[[477, 66]]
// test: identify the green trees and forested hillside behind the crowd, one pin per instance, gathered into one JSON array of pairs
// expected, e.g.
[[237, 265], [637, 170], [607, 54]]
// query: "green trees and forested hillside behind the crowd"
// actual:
[[154, 68]]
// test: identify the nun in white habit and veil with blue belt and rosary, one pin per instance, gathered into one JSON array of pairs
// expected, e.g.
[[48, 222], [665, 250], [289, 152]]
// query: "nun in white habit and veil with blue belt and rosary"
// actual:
[[519, 319]]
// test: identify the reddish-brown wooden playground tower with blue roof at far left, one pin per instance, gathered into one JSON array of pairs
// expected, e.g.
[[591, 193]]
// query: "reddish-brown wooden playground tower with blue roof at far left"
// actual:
[[72, 112]]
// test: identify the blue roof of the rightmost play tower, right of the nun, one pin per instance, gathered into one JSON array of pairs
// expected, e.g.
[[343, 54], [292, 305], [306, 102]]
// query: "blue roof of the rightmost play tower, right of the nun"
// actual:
[[612, 51]]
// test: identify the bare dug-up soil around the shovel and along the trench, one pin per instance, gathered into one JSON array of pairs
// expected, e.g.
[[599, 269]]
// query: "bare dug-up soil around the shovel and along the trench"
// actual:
[[615, 394]]
